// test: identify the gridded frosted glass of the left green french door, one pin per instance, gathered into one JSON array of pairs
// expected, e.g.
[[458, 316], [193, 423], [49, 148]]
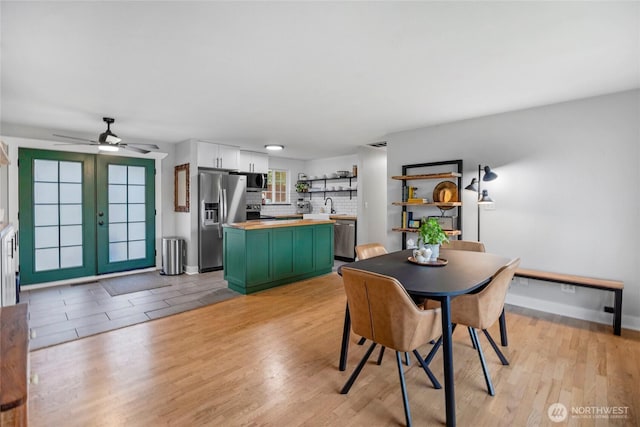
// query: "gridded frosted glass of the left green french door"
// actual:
[[57, 198]]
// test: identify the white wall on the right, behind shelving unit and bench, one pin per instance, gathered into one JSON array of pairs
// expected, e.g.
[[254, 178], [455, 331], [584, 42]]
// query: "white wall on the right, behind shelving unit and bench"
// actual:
[[567, 196]]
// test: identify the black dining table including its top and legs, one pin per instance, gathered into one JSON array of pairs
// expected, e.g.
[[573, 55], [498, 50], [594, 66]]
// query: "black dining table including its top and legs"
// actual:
[[458, 273]]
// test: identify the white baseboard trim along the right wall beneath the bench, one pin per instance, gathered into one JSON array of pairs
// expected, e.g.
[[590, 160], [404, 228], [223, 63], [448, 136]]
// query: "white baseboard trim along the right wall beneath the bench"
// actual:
[[628, 322]]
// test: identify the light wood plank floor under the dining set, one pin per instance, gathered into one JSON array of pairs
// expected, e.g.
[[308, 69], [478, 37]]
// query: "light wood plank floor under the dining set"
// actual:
[[271, 359]]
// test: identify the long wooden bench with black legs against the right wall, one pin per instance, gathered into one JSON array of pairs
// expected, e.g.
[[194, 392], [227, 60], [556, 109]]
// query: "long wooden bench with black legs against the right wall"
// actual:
[[588, 282]]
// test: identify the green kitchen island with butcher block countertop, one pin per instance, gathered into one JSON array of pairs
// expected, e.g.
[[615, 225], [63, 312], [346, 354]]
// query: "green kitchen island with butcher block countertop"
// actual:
[[263, 254]]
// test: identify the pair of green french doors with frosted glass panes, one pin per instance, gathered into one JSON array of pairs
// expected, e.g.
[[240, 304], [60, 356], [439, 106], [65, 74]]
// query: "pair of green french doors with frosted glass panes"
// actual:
[[84, 214]]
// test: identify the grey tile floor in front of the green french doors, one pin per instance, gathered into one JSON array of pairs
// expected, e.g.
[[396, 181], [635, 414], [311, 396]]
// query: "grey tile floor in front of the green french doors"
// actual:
[[65, 313]]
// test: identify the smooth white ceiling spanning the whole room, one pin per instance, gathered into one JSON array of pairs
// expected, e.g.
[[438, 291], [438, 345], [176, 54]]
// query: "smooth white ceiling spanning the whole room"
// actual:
[[319, 77]]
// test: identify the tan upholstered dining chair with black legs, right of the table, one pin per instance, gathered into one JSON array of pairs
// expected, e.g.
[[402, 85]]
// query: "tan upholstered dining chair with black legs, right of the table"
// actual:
[[480, 311]]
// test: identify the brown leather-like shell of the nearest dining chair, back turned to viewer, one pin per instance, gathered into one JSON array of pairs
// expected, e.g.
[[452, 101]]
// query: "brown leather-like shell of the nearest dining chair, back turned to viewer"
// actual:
[[382, 311]]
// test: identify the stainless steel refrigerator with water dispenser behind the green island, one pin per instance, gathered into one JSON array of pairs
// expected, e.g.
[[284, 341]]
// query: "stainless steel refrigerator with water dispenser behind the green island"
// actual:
[[222, 200]]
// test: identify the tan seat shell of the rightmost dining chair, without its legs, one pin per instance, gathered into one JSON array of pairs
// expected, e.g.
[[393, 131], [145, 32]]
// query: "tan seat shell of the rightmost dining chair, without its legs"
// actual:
[[481, 310]]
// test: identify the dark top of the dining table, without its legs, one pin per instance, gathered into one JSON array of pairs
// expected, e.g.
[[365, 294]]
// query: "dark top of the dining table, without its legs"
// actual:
[[464, 272]]
